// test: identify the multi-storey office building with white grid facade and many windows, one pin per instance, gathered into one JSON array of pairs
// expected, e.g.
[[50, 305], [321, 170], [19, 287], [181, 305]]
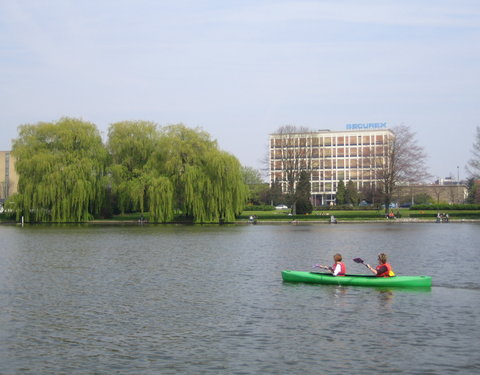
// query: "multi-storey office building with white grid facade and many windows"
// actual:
[[329, 156]]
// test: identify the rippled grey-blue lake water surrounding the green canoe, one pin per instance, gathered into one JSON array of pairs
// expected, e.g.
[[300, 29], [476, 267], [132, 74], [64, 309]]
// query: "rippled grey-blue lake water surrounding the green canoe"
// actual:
[[210, 300]]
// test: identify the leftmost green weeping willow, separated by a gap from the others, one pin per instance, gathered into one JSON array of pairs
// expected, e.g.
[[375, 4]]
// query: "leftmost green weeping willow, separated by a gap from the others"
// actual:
[[61, 168]]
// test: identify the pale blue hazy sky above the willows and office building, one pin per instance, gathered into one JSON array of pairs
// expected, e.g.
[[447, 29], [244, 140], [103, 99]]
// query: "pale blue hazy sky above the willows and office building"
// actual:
[[241, 69]]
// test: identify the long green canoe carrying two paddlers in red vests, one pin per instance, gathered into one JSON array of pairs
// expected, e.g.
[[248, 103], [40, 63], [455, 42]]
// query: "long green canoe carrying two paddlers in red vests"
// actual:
[[357, 280]]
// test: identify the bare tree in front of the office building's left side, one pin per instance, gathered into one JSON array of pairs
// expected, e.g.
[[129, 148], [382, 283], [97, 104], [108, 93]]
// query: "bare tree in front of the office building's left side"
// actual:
[[292, 155]]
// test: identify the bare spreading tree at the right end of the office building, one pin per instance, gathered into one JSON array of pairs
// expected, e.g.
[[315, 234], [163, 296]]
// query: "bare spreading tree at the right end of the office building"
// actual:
[[404, 162]]
